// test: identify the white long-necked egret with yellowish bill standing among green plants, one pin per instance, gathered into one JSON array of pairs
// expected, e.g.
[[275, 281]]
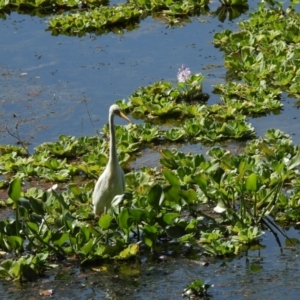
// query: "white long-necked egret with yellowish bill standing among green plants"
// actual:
[[112, 181]]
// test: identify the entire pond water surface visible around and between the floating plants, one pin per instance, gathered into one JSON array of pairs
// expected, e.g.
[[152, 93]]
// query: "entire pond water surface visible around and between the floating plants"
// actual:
[[52, 85]]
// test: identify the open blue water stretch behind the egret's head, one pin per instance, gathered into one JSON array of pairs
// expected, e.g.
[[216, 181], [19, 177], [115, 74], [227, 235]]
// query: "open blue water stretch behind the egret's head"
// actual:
[[47, 77]]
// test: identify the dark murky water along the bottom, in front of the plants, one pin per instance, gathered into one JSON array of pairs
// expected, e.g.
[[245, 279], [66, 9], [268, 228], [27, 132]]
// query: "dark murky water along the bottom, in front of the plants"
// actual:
[[266, 274]]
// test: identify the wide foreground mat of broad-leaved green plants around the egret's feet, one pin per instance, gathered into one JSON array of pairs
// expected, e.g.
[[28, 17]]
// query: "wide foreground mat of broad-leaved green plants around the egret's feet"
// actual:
[[161, 205]]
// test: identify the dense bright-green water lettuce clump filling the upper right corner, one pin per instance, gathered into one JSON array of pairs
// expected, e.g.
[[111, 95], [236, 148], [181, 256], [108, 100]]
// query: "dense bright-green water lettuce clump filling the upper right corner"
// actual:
[[255, 53]]
